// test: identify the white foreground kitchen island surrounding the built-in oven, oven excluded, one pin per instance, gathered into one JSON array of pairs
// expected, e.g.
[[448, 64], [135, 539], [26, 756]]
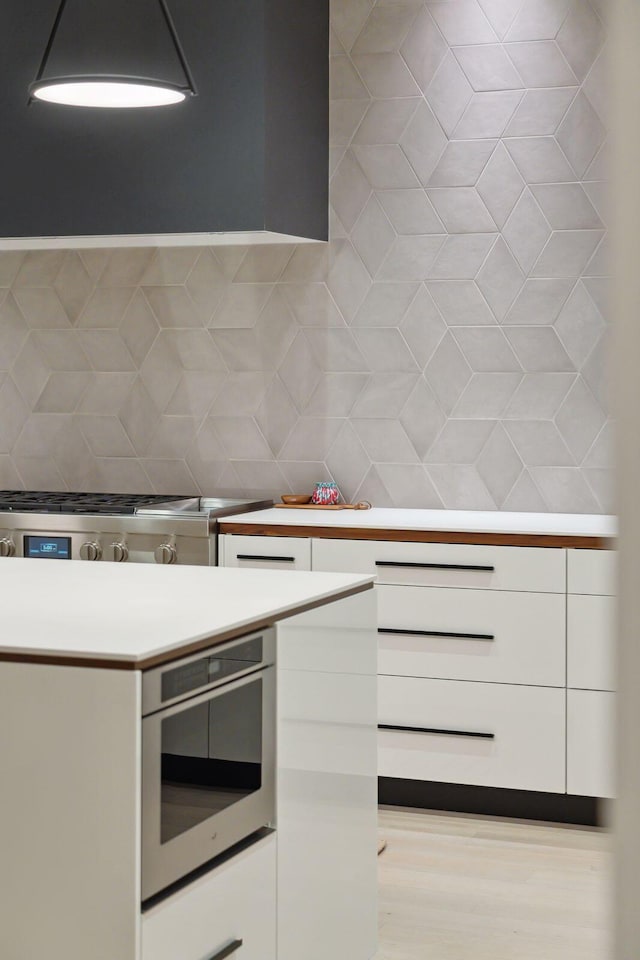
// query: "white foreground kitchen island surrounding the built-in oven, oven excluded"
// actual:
[[76, 643]]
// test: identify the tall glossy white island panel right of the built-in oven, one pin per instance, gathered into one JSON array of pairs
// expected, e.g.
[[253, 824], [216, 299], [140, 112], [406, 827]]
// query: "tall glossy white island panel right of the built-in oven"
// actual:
[[327, 784]]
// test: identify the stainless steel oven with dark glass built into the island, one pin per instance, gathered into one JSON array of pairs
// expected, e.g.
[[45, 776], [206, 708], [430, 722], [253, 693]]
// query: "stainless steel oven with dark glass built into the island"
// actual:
[[208, 756]]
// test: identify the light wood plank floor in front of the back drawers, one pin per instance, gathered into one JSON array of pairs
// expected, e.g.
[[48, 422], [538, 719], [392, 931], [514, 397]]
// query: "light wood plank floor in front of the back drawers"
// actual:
[[453, 887]]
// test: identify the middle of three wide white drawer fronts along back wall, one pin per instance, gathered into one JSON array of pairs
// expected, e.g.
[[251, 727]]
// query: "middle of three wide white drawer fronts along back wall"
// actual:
[[472, 635]]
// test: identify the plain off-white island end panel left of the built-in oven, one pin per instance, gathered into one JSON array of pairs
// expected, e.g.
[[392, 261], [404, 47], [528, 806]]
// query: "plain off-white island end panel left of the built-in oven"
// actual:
[[69, 830]]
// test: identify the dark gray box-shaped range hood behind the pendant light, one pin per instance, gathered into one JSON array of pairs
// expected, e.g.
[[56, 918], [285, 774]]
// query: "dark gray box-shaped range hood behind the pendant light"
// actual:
[[245, 161]]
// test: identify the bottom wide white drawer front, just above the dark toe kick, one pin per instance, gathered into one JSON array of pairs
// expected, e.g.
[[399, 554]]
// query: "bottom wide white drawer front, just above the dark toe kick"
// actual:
[[527, 725]]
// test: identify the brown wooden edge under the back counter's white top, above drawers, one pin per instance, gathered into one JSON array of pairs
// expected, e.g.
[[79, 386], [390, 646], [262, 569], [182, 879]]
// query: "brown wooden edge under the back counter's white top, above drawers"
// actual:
[[419, 536]]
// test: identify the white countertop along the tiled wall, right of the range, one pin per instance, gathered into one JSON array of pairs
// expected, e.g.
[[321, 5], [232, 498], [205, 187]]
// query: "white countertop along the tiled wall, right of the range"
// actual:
[[454, 521]]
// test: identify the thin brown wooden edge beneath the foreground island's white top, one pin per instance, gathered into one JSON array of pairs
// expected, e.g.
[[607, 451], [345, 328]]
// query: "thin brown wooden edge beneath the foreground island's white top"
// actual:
[[105, 663]]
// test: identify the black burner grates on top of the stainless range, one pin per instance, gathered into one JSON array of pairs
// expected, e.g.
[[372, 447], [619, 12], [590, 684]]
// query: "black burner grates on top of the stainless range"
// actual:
[[26, 501]]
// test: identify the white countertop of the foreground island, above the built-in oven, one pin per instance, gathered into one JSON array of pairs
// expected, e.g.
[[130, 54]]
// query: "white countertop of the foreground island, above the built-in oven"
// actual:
[[132, 612]]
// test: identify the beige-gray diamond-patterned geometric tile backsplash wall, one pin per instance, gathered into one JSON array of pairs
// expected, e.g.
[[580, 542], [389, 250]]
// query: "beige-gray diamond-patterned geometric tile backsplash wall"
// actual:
[[446, 349]]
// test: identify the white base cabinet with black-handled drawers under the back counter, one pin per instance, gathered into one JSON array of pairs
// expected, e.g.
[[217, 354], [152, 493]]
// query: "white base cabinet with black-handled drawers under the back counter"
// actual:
[[513, 641]]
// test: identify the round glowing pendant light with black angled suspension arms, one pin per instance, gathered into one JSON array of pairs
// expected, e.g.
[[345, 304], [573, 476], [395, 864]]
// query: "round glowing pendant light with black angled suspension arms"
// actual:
[[106, 90]]
